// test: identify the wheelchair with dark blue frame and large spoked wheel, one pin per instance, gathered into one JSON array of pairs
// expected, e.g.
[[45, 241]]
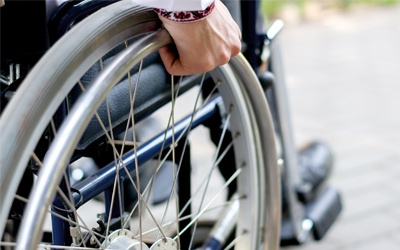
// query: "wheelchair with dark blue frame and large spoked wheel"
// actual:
[[93, 94]]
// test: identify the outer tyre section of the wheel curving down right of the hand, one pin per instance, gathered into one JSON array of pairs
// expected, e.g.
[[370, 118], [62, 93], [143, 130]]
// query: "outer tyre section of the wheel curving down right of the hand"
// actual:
[[271, 173]]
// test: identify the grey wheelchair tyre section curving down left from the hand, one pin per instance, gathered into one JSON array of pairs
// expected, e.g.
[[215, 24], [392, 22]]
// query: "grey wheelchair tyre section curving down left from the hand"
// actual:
[[92, 38]]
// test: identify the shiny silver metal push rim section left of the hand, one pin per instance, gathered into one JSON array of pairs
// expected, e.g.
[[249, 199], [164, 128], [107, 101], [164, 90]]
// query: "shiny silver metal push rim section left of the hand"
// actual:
[[58, 157]]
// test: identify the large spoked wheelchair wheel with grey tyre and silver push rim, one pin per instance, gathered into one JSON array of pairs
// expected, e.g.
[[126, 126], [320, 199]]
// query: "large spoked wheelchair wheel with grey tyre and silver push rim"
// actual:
[[241, 104]]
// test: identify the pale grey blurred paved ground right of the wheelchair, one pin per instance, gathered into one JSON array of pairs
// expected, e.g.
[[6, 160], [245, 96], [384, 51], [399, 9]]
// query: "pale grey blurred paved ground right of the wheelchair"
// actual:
[[343, 75]]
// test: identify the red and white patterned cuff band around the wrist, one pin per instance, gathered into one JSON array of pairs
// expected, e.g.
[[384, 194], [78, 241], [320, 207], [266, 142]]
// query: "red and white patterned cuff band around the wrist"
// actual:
[[186, 16]]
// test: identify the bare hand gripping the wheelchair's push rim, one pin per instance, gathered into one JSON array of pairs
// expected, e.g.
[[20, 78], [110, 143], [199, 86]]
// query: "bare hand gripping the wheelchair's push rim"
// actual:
[[203, 45]]
